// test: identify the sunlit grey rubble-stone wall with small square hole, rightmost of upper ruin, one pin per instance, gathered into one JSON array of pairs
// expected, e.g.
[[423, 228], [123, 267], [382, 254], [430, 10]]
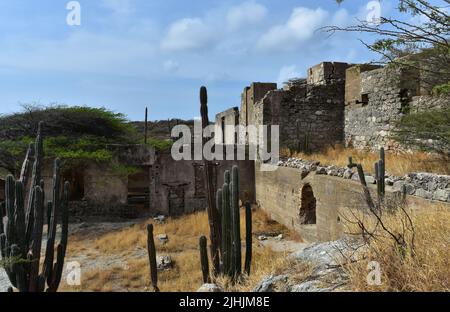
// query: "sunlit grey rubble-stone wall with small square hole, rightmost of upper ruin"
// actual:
[[377, 99]]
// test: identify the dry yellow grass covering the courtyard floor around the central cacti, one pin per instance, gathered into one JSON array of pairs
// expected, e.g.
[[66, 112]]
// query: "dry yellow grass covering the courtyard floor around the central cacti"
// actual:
[[183, 235]]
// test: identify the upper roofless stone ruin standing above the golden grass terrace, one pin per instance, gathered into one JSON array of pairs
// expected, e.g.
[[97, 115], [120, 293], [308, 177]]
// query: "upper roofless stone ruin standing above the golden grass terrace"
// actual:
[[338, 103]]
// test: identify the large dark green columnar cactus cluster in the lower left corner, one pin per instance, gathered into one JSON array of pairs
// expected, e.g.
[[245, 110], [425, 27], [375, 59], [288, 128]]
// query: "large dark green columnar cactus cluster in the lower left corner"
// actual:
[[21, 238]]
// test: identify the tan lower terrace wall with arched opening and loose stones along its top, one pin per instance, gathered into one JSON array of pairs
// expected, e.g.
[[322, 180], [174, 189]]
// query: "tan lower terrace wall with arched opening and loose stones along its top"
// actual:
[[279, 194]]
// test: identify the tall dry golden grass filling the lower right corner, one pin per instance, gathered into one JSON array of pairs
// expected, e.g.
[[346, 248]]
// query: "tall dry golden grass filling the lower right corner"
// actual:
[[425, 269]]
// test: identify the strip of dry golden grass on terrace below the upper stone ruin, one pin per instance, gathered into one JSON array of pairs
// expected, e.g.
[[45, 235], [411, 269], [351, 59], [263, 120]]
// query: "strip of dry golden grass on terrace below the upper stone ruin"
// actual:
[[396, 164]]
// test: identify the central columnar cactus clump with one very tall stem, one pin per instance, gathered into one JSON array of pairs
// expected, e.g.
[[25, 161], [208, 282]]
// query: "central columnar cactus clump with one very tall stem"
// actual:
[[224, 218]]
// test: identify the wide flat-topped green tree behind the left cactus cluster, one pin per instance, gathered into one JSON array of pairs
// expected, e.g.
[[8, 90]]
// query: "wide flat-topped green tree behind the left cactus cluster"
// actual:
[[71, 133]]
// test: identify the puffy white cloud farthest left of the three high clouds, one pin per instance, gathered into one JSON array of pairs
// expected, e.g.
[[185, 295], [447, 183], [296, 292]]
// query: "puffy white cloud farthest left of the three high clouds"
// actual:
[[187, 34]]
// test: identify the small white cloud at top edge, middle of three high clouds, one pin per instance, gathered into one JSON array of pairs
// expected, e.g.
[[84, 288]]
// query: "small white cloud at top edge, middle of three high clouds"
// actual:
[[246, 13]]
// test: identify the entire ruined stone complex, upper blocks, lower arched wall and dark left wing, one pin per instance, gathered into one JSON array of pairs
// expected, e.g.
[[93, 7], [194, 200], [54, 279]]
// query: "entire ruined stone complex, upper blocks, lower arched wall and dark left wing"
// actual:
[[337, 103]]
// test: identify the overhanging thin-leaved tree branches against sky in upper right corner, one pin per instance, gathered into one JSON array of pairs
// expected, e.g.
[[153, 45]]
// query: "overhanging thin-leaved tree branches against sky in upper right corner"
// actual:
[[418, 39]]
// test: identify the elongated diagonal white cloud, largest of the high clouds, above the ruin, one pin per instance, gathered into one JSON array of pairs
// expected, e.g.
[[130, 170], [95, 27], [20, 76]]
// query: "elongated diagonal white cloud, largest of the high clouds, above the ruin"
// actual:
[[300, 27]]
